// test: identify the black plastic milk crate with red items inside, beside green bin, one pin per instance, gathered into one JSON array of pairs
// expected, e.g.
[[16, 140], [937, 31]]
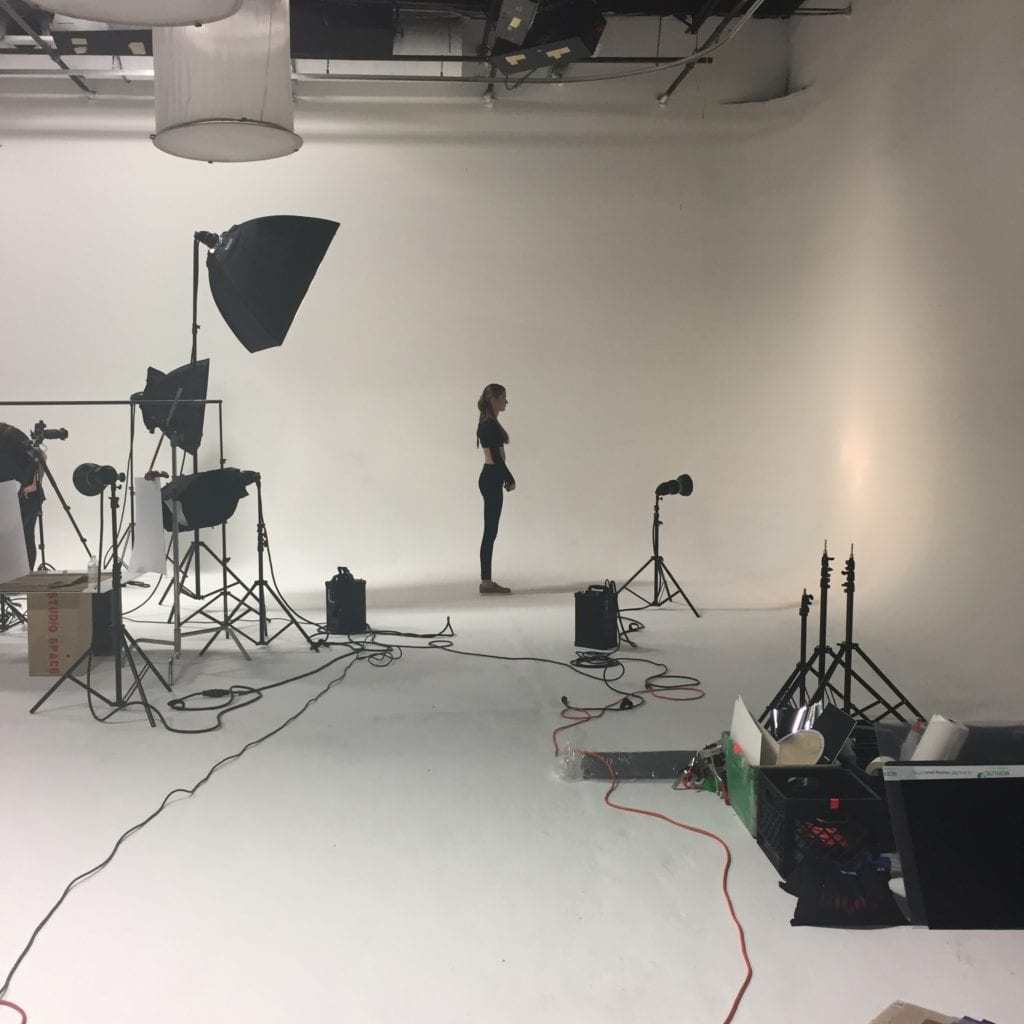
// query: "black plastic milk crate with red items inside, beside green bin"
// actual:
[[822, 810]]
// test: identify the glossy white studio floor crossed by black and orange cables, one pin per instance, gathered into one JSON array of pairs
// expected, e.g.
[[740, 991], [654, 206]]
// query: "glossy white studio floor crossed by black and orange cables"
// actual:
[[407, 850]]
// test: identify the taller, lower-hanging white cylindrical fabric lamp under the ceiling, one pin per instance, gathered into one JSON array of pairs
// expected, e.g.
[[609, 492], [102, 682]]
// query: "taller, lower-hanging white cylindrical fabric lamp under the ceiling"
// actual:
[[225, 91]]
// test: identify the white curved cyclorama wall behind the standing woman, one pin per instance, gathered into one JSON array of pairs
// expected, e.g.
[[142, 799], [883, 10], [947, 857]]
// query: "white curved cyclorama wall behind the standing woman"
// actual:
[[812, 306]]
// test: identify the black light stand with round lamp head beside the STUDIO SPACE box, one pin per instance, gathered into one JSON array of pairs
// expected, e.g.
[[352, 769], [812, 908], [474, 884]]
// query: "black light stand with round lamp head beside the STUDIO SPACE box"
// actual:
[[92, 481]]
